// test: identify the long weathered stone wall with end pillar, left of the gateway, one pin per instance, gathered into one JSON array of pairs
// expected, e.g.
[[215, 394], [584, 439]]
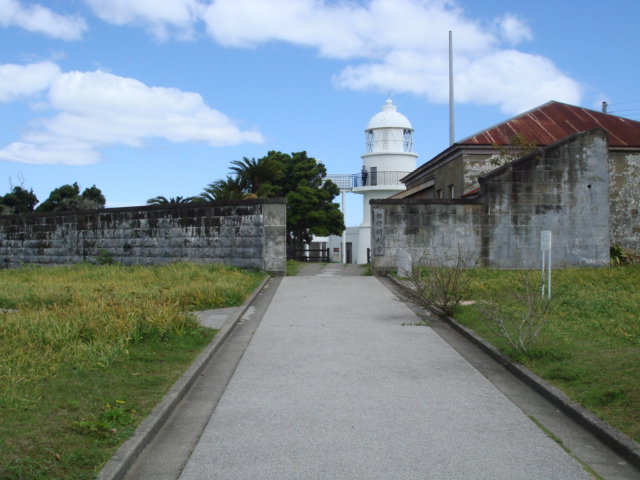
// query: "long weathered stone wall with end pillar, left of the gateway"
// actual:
[[247, 233]]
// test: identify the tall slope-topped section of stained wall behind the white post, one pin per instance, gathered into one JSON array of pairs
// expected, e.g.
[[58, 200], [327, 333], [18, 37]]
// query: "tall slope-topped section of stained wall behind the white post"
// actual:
[[563, 188]]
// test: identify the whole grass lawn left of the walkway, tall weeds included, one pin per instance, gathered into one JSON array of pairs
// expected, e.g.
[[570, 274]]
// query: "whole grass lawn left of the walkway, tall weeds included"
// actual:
[[86, 352]]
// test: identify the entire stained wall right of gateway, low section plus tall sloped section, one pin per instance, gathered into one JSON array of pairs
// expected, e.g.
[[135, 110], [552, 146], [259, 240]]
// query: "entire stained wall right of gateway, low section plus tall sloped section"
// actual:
[[563, 188]]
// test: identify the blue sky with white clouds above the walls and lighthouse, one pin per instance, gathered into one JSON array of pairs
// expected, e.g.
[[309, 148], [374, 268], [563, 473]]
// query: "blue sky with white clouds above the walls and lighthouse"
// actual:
[[146, 98]]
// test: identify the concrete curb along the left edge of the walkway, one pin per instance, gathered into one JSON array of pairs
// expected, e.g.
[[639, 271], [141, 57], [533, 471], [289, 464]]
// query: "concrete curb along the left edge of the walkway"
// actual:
[[116, 468]]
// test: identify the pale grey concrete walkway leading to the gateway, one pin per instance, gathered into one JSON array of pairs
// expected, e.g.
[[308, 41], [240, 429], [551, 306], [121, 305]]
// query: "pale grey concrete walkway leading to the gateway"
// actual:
[[338, 382]]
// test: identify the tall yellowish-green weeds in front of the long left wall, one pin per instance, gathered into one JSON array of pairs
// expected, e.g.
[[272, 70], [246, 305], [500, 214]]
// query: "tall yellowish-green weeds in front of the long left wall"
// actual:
[[87, 315]]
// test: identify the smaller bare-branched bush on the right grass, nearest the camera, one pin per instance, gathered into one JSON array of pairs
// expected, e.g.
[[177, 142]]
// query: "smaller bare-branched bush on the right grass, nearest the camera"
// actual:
[[521, 314]]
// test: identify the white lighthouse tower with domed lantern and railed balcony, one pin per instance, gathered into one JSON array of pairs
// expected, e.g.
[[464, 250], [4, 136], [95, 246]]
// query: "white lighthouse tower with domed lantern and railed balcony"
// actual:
[[389, 157]]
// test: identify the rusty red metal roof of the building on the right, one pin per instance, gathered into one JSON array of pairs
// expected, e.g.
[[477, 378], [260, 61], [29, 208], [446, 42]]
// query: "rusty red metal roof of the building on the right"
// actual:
[[554, 121]]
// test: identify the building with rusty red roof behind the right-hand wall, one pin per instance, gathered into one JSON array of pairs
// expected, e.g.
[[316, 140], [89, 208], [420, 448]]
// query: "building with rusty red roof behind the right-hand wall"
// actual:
[[454, 172]]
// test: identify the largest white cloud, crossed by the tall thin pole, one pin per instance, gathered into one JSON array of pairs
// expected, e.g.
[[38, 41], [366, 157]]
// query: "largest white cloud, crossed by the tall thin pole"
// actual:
[[402, 45]]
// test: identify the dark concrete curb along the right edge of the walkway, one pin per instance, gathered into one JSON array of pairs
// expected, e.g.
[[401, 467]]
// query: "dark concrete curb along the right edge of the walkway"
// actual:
[[614, 438]]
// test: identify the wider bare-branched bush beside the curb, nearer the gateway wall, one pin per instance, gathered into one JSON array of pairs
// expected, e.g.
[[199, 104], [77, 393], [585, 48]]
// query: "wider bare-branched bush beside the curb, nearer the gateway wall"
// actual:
[[441, 283]]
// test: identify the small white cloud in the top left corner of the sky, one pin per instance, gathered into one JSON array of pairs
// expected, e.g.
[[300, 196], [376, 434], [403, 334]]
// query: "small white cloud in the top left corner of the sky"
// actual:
[[37, 18]]
